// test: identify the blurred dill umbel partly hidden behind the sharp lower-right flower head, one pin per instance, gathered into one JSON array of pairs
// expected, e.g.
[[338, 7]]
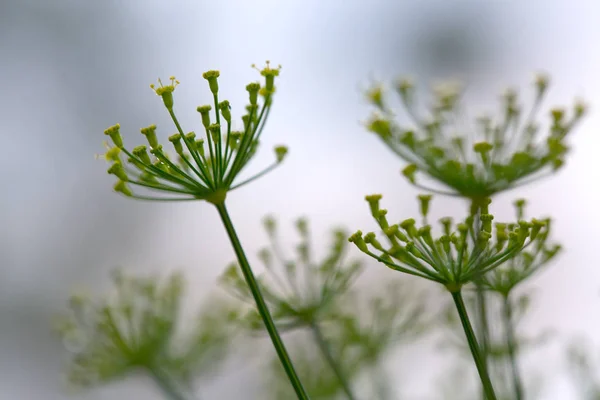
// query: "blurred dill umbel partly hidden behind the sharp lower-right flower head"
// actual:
[[517, 269]]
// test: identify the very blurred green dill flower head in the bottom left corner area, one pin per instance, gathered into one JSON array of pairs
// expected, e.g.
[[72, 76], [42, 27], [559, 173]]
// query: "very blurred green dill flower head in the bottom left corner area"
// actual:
[[134, 330]]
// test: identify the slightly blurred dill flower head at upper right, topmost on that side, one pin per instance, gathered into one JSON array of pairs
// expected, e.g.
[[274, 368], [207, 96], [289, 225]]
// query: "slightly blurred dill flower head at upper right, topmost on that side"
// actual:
[[494, 156]]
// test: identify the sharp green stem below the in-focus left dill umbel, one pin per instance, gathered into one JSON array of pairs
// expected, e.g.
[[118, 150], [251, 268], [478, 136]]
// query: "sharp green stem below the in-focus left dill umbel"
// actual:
[[261, 305]]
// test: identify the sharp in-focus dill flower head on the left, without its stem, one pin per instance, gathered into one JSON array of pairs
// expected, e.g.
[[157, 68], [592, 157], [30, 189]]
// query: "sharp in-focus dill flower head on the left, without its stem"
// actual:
[[206, 168]]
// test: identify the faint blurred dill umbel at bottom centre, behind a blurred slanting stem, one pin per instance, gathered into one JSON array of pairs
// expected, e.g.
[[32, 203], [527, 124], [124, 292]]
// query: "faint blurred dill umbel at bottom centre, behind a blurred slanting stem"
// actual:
[[369, 327]]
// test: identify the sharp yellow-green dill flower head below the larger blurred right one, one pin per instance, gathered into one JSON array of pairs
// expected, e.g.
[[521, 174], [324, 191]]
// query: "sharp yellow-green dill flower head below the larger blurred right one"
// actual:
[[461, 254]]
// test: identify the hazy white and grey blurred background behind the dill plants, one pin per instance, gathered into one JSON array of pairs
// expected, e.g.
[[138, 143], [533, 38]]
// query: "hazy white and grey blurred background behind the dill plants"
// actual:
[[72, 68]]
